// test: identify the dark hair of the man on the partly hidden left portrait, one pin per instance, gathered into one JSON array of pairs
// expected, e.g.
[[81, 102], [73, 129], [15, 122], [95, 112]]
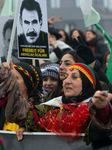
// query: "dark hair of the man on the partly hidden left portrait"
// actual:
[[8, 25]]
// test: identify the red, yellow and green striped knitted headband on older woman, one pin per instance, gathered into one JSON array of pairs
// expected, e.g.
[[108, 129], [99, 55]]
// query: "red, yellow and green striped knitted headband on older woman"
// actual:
[[86, 70]]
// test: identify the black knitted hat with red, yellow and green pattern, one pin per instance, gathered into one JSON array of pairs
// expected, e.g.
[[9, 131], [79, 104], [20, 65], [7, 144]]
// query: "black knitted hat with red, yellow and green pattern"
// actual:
[[31, 76]]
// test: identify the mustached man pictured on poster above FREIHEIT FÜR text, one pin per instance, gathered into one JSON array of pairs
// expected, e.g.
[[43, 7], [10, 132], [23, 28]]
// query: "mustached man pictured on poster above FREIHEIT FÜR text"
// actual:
[[31, 22]]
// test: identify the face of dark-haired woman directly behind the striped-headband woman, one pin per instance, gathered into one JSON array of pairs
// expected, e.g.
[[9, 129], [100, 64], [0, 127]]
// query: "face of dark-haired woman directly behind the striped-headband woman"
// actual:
[[65, 63]]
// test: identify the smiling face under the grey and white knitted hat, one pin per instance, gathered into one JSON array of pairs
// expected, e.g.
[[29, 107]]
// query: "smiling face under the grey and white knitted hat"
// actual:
[[49, 83]]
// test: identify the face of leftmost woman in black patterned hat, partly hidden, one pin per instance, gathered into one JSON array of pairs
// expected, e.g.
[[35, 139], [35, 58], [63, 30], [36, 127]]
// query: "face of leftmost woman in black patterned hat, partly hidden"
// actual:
[[22, 85]]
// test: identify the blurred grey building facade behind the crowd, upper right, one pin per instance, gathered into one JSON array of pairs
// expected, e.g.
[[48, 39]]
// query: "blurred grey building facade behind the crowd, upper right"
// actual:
[[72, 17]]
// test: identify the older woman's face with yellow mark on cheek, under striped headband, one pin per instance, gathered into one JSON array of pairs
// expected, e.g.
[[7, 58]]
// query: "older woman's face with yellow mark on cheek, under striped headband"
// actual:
[[72, 85]]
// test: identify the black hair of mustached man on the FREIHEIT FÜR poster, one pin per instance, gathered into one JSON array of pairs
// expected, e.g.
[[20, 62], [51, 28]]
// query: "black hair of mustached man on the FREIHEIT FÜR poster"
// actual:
[[31, 5]]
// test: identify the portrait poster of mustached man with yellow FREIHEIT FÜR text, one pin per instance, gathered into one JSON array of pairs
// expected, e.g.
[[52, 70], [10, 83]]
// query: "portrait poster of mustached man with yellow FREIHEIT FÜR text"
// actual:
[[32, 29]]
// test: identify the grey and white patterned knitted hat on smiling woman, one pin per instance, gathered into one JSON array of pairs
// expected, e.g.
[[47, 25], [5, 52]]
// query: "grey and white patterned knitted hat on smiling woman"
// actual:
[[51, 70]]
